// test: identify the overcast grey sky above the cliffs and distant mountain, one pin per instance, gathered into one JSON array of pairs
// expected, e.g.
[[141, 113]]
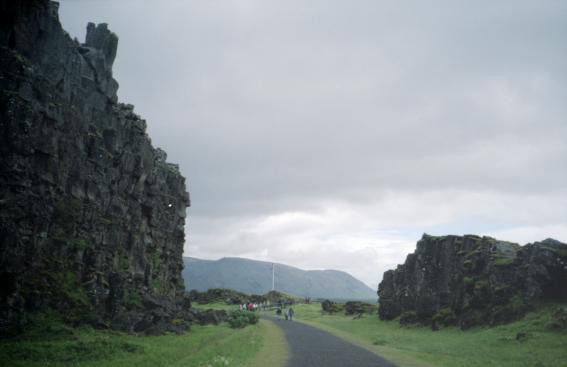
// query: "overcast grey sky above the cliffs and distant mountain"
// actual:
[[332, 134]]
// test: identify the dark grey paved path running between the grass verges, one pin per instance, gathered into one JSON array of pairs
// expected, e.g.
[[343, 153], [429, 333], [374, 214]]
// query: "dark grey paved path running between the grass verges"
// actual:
[[311, 347]]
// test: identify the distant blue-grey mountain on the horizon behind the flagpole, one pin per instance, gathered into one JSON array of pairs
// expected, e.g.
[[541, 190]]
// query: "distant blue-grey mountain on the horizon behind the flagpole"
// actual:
[[255, 277]]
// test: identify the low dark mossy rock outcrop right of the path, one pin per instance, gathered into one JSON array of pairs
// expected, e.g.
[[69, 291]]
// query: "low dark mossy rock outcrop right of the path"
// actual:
[[472, 280]]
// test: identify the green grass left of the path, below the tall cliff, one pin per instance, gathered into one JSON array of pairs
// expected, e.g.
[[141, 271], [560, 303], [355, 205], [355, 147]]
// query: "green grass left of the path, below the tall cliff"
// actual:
[[51, 343]]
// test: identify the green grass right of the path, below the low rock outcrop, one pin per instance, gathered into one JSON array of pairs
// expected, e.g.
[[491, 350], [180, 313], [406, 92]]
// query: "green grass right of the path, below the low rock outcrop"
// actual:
[[449, 347]]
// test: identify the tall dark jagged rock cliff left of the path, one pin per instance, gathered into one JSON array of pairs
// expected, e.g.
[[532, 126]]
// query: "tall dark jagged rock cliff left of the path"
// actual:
[[91, 214]]
